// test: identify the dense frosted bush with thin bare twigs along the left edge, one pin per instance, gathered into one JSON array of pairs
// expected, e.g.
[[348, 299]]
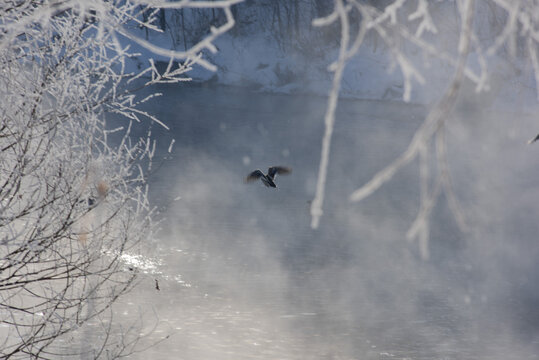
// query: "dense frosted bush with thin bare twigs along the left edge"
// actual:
[[73, 203]]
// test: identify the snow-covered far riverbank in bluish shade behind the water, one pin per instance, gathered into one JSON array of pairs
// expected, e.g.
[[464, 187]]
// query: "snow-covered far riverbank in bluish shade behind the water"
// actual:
[[258, 62]]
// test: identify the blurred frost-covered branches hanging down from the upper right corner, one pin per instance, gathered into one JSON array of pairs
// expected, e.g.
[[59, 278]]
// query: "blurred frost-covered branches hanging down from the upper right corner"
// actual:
[[399, 23]]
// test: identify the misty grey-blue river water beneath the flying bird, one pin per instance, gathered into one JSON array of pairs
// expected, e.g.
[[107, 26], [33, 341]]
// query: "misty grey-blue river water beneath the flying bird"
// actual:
[[242, 275]]
